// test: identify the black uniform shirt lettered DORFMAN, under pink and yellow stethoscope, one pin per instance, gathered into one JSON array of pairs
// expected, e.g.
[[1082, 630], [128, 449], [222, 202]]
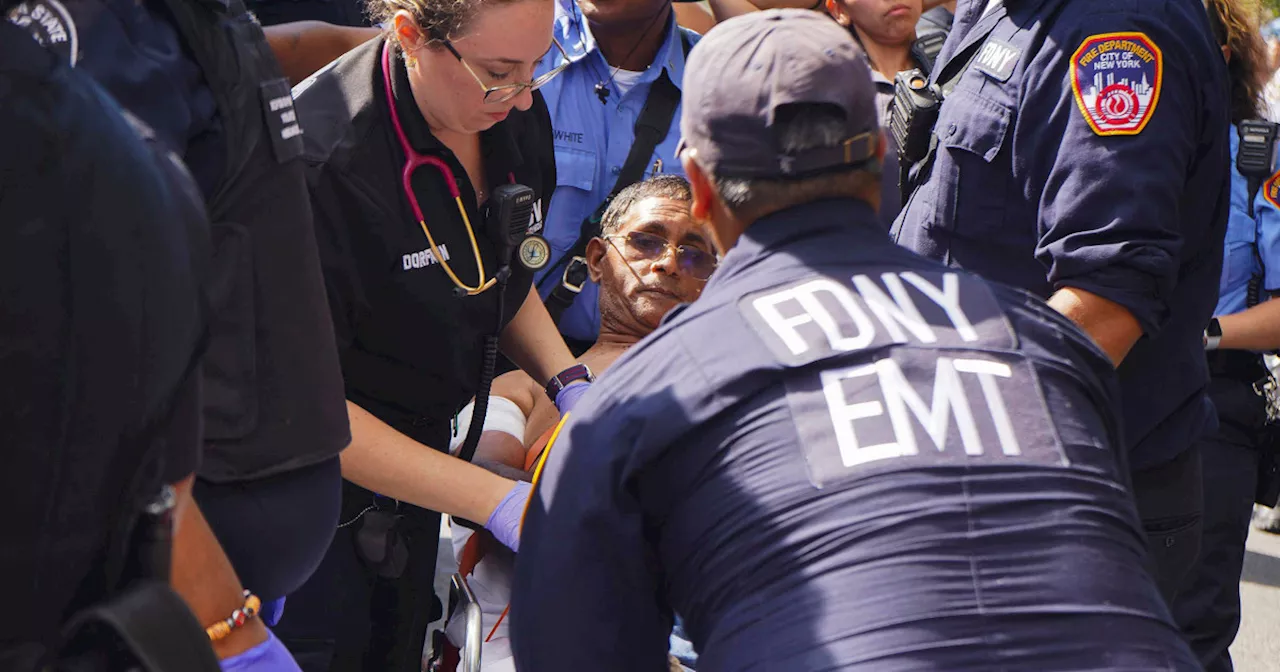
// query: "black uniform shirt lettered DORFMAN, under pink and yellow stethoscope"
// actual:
[[410, 349]]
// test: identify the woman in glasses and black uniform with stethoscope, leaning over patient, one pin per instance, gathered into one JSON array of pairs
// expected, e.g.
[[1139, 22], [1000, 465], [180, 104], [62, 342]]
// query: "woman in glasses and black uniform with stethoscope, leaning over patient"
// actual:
[[431, 167]]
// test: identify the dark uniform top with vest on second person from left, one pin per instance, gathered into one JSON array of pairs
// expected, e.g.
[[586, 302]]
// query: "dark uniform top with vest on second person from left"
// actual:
[[202, 76]]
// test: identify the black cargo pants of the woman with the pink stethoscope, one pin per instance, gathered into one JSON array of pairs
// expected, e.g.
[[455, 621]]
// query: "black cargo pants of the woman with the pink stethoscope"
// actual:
[[368, 606]]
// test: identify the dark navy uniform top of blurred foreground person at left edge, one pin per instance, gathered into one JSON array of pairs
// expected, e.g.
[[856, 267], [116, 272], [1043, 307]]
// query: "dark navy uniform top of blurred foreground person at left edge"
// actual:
[[103, 240]]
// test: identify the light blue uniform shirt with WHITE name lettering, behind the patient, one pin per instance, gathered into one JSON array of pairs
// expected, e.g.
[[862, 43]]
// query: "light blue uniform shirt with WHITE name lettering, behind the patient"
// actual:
[[593, 141]]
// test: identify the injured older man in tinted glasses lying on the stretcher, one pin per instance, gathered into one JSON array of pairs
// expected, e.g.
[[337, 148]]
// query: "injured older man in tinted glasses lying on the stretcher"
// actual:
[[650, 258]]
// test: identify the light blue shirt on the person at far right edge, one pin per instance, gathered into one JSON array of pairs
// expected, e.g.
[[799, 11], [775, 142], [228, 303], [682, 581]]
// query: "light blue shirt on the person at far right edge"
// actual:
[[1244, 232]]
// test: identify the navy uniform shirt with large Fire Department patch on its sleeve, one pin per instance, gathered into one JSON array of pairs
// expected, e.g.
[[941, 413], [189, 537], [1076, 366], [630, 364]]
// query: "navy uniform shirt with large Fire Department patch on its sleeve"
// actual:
[[1087, 147]]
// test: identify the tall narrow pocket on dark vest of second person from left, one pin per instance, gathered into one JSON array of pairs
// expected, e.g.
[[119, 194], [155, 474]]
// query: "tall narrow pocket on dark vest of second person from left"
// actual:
[[231, 362]]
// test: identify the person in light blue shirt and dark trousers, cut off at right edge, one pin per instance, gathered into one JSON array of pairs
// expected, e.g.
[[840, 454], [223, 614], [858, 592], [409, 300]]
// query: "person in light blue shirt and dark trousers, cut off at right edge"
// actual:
[[1209, 607]]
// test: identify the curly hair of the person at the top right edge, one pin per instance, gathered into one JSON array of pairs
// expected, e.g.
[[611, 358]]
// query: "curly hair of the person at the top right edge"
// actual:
[[1236, 26]]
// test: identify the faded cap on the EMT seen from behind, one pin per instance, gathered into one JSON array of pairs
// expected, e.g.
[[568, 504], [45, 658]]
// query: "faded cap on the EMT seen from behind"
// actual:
[[748, 67]]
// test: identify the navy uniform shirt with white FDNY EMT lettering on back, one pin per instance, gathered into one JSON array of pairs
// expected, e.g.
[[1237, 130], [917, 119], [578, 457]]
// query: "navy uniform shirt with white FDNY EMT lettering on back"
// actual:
[[842, 458]]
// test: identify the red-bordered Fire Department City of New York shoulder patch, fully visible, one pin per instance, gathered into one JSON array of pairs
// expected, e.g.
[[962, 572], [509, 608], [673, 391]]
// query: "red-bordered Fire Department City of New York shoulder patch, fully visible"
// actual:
[[1117, 81]]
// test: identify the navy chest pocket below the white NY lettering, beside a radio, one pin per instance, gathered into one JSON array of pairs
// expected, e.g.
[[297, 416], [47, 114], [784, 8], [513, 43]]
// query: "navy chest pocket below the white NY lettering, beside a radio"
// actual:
[[971, 193]]
